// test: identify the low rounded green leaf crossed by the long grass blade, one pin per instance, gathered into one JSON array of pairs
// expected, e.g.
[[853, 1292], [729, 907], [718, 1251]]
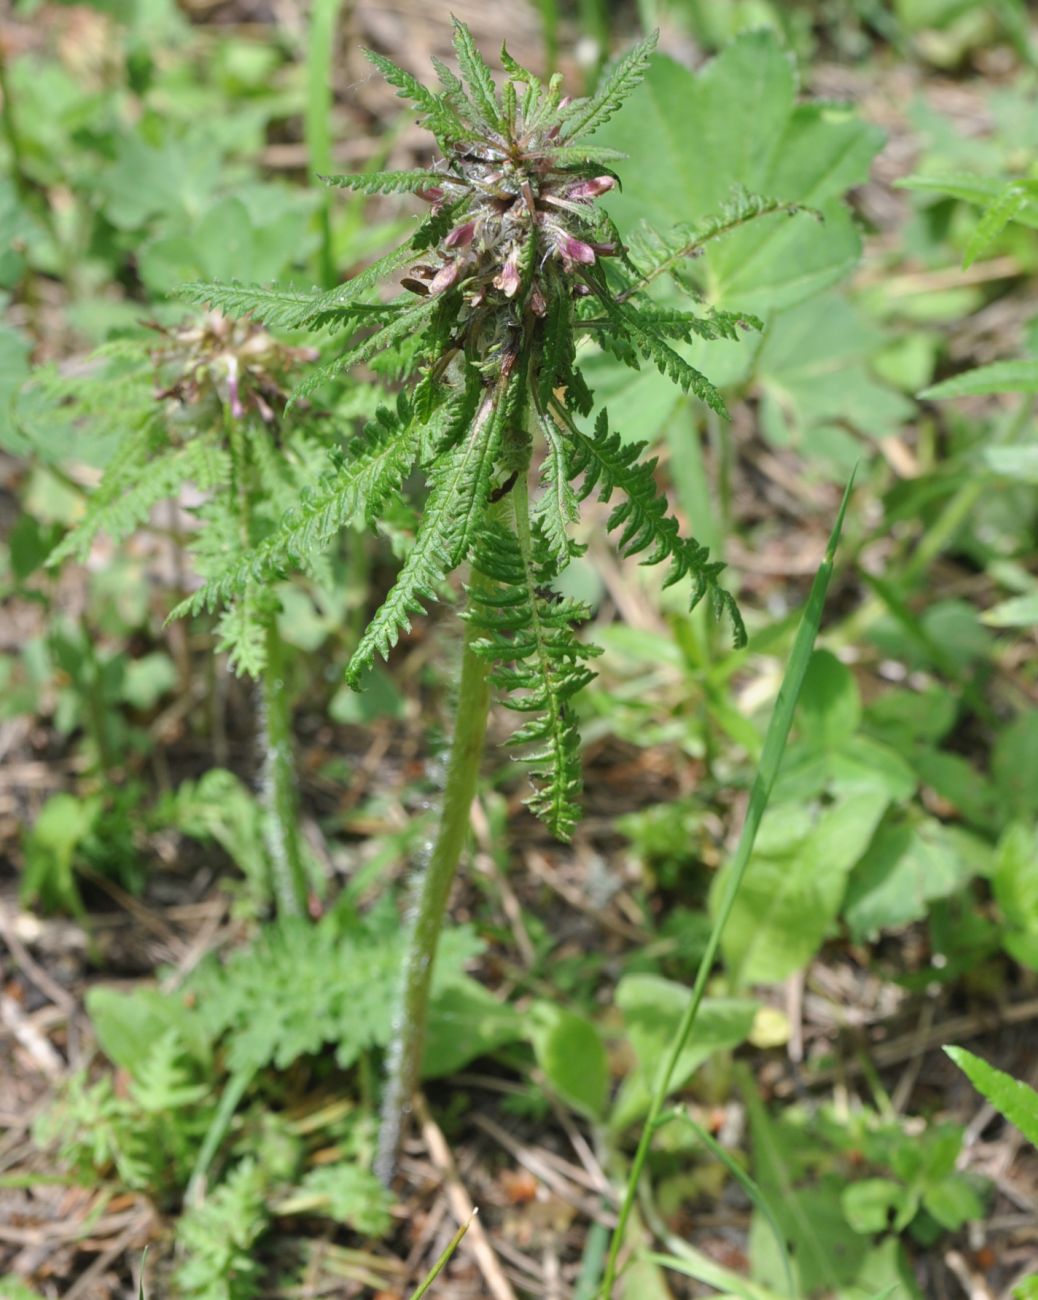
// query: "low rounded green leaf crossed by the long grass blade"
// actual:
[[652, 1011]]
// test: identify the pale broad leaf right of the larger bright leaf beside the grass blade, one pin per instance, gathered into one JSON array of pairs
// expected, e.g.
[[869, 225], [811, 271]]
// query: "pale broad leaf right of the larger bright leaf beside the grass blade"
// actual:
[[907, 868]]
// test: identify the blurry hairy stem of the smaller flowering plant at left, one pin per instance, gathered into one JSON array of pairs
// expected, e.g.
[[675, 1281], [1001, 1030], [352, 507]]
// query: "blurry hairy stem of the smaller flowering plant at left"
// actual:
[[280, 796]]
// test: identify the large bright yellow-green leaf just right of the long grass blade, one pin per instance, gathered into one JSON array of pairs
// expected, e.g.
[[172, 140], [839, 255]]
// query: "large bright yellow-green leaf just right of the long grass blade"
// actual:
[[794, 886]]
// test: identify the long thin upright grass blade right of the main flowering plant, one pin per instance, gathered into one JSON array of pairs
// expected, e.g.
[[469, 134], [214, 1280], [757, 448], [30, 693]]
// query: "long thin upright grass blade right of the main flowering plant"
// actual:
[[775, 747]]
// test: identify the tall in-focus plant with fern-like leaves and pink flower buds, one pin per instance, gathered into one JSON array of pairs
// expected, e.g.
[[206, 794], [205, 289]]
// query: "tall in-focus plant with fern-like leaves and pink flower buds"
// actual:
[[516, 265]]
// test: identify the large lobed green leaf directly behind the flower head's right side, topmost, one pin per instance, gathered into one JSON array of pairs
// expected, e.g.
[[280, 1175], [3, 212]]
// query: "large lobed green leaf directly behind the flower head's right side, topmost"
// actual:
[[746, 129]]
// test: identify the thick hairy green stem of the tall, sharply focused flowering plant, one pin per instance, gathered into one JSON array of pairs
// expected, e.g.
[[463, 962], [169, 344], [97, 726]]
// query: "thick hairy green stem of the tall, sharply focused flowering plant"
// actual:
[[434, 892]]
